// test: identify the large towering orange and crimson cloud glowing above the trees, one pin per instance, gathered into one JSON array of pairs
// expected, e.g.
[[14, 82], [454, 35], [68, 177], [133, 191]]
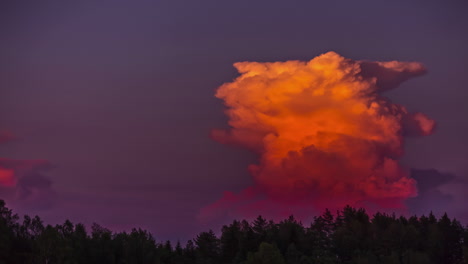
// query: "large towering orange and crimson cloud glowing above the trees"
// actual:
[[325, 135]]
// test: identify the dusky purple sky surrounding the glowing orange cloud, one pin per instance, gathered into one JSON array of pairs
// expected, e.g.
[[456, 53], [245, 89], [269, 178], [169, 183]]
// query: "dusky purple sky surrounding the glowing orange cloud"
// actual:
[[112, 102]]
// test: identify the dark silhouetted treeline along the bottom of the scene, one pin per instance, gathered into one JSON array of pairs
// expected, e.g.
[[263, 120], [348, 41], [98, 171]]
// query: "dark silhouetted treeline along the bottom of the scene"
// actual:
[[350, 237]]
